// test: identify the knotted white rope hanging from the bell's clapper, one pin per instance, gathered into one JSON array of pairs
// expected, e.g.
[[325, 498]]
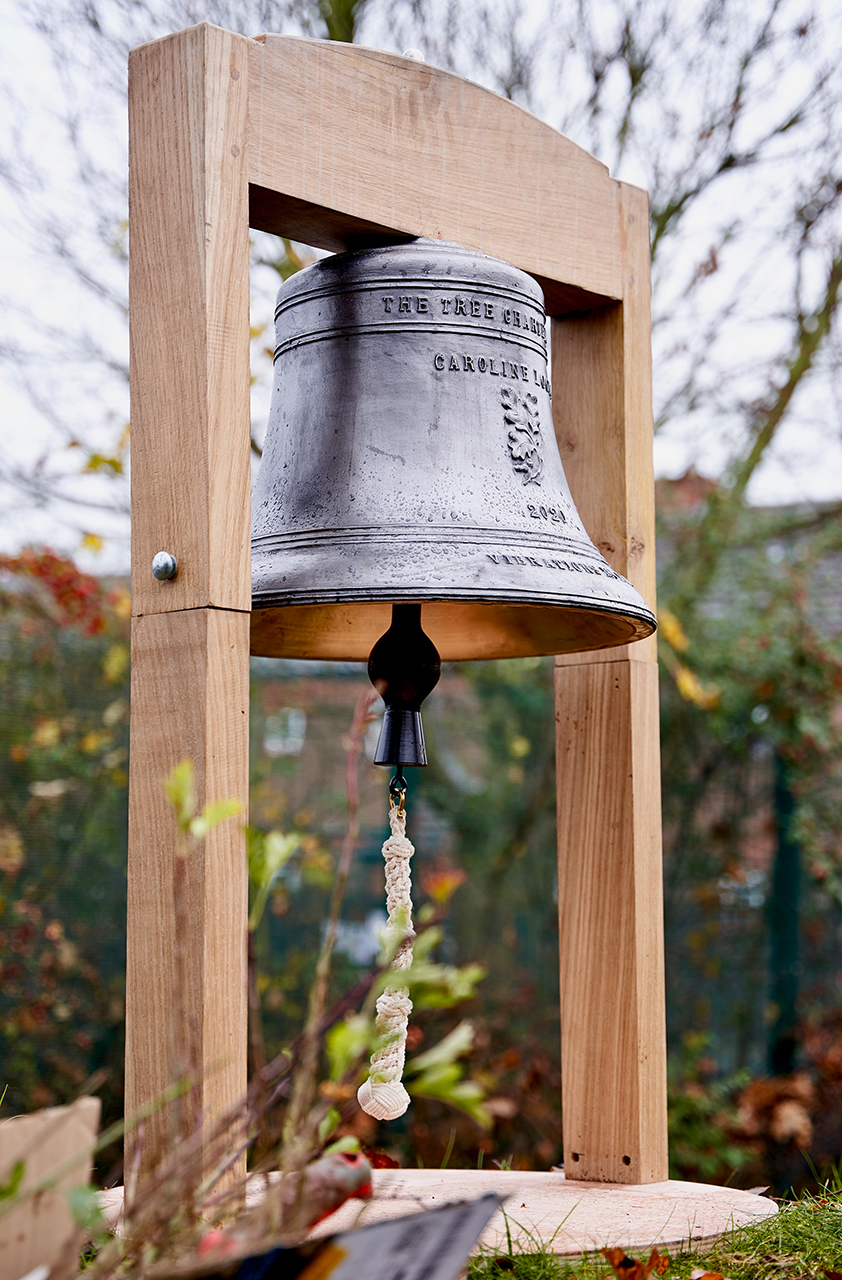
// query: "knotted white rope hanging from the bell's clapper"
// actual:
[[383, 1096]]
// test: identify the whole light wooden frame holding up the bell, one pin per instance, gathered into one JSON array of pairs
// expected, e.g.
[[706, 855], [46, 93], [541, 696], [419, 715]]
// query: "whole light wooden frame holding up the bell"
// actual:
[[342, 147]]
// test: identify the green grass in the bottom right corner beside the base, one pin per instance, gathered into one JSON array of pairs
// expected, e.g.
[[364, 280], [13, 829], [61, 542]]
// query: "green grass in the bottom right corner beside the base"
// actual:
[[804, 1241]]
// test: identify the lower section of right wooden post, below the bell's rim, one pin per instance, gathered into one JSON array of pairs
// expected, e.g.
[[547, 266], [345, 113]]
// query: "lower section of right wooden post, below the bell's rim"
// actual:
[[611, 924]]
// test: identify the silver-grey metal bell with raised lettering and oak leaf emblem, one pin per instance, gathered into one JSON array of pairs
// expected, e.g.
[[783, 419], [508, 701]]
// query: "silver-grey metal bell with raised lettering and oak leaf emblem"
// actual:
[[411, 458]]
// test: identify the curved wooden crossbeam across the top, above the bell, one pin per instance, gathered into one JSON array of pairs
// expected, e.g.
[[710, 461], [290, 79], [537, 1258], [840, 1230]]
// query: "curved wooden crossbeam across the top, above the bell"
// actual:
[[383, 145]]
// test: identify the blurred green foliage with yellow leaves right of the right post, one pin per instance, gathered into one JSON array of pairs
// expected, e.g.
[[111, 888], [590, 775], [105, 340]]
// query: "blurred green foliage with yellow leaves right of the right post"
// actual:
[[765, 636]]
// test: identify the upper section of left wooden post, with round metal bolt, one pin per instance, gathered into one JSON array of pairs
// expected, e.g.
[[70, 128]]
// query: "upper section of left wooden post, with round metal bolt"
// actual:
[[189, 216]]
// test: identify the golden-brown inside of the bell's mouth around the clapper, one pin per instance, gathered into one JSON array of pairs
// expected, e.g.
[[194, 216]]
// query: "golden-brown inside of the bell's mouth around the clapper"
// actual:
[[461, 630]]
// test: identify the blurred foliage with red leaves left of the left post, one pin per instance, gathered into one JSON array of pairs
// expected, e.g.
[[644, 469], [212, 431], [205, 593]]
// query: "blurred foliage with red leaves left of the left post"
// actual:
[[63, 752]]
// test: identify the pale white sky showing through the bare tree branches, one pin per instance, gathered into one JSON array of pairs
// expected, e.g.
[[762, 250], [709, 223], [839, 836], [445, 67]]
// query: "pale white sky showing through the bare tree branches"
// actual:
[[734, 323]]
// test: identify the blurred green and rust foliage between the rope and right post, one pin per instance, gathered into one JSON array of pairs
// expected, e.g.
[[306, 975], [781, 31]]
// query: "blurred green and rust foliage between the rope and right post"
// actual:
[[492, 783]]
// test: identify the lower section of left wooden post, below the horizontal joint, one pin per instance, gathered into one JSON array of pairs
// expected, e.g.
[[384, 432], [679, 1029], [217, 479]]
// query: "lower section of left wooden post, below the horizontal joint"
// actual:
[[190, 700]]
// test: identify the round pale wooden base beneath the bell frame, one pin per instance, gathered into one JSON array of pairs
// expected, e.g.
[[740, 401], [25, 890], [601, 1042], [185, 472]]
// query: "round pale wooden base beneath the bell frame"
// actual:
[[546, 1210]]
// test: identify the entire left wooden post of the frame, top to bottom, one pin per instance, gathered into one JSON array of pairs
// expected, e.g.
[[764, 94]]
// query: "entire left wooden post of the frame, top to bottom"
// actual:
[[190, 496]]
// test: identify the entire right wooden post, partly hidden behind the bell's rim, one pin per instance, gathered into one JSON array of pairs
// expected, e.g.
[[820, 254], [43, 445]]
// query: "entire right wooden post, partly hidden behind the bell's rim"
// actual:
[[611, 897]]
